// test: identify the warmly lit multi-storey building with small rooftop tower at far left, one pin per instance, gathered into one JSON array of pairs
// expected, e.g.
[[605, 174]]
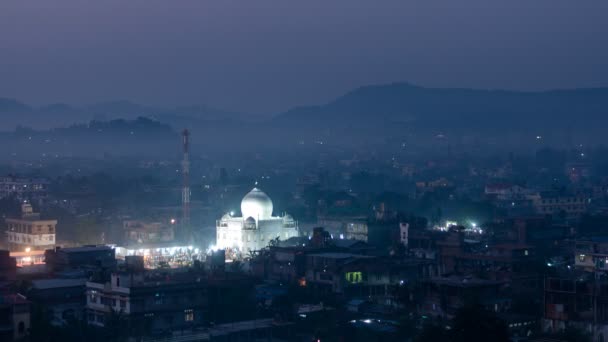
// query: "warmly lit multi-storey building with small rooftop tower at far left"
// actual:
[[30, 232]]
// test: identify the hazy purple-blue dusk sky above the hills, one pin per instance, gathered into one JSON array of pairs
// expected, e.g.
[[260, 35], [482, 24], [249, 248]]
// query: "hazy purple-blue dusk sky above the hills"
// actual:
[[269, 55]]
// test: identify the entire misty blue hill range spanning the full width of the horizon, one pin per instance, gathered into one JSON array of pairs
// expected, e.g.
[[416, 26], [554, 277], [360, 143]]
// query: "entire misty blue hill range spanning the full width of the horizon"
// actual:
[[391, 115]]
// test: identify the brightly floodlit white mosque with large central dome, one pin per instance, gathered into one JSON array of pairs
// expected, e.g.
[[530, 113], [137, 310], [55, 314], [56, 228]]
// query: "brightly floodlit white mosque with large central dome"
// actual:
[[256, 227]]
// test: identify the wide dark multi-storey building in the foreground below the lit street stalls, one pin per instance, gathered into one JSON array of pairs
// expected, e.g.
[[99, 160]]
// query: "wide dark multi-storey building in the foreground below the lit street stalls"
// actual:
[[179, 299]]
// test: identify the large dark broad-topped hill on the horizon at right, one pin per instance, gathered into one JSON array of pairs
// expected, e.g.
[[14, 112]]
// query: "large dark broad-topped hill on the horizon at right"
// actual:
[[450, 108]]
